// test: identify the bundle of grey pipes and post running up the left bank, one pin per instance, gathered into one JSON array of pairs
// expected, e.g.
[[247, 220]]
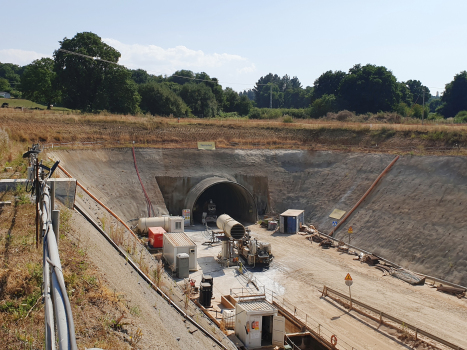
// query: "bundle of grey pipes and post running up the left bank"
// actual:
[[58, 315]]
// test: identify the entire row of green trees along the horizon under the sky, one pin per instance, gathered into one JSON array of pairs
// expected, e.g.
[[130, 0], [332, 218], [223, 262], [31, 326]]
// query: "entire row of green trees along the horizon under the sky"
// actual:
[[92, 85]]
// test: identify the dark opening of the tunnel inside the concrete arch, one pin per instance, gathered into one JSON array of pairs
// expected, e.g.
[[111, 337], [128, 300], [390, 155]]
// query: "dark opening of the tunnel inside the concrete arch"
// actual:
[[230, 198]]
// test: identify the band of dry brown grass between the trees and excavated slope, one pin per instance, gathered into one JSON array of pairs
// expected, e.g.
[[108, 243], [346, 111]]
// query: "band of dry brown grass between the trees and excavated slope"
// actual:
[[342, 132]]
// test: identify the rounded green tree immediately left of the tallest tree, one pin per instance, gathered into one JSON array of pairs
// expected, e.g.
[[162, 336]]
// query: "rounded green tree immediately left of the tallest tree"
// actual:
[[38, 82]]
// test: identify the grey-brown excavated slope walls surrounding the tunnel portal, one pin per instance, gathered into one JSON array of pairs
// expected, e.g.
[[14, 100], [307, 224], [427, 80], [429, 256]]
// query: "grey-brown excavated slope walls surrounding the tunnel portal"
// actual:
[[414, 216]]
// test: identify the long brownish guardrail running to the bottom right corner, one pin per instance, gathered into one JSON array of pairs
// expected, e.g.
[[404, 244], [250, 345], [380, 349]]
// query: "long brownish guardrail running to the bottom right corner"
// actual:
[[380, 316]]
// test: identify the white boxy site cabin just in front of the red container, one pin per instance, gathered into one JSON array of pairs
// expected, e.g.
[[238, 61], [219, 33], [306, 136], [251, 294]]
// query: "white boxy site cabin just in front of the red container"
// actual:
[[176, 243]]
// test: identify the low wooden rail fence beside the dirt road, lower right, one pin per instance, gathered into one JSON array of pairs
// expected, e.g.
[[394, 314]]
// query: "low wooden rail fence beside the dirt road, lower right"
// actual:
[[410, 331]]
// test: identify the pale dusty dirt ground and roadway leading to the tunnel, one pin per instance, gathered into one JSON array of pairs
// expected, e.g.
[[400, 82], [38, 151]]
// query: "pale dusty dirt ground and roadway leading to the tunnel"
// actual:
[[298, 273]]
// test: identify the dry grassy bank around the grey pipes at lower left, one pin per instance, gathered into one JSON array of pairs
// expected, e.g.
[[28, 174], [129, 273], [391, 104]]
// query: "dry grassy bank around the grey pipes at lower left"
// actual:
[[95, 307]]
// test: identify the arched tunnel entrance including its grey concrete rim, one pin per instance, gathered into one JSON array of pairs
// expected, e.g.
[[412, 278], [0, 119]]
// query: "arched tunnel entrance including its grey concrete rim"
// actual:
[[230, 198]]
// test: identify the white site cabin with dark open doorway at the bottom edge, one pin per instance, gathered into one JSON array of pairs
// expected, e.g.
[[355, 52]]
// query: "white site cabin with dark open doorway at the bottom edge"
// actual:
[[257, 324]]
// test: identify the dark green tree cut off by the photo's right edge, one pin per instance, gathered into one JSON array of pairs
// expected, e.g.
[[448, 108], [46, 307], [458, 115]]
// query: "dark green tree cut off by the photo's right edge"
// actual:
[[455, 96]]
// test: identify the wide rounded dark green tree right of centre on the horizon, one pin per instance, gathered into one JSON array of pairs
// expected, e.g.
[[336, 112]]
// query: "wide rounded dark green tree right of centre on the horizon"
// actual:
[[369, 88]]
